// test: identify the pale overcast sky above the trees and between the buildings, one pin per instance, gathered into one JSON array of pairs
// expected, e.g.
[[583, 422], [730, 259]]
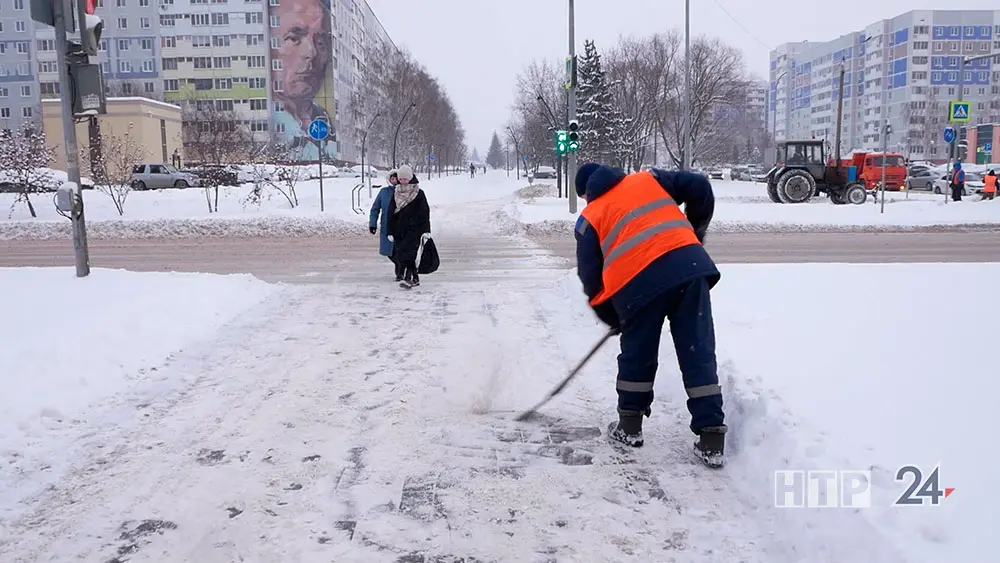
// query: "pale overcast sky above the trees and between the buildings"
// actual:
[[476, 48]]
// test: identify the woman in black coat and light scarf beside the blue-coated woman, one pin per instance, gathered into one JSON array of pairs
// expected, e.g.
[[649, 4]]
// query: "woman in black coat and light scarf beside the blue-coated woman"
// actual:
[[409, 220]]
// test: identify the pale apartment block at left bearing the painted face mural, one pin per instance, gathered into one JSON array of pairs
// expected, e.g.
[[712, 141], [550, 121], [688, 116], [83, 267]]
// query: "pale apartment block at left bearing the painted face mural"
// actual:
[[273, 64]]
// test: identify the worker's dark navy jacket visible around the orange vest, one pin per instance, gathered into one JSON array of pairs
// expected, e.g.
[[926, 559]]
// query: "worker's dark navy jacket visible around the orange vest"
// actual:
[[668, 271]]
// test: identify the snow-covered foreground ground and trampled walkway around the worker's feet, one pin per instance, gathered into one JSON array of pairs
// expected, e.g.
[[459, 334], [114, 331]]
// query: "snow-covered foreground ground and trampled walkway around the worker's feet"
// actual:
[[362, 423]]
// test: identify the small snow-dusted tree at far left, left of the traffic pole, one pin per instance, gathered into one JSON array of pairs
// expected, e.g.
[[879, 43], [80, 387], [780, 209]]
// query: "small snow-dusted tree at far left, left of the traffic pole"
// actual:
[[24, 161]]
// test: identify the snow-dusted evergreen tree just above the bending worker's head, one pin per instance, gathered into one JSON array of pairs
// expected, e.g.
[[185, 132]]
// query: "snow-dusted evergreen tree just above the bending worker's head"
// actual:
[[601, 124]]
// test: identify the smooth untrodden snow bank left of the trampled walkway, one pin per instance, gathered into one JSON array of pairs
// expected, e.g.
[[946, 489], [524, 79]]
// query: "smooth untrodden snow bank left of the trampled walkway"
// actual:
[[70, 345]]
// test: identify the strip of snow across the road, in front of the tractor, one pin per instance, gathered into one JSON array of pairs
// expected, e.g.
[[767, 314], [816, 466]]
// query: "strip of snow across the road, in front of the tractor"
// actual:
[[744, 206]]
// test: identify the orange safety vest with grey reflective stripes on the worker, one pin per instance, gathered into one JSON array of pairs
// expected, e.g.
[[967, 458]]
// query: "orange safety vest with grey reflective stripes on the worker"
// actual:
[[636, 222]]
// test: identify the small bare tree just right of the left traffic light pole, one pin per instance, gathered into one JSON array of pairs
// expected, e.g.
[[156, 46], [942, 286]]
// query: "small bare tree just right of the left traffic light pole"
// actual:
[[112, 165]]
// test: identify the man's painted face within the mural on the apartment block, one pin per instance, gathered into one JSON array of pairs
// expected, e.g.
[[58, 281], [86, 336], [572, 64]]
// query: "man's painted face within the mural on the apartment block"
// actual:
[[306, 44]]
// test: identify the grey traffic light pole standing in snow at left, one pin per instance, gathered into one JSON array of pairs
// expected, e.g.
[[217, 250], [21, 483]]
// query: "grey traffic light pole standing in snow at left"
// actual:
[[81, 253]]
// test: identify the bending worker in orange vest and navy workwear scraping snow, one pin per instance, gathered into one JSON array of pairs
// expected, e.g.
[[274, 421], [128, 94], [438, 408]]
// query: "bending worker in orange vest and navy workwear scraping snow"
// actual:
[[641, 262]]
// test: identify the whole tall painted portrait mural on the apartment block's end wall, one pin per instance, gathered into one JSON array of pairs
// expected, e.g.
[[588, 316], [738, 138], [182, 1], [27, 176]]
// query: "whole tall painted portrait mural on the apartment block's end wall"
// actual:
[[302, 70]]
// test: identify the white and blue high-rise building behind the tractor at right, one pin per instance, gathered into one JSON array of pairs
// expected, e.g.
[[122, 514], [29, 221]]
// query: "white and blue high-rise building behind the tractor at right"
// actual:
[[904, 69]]
